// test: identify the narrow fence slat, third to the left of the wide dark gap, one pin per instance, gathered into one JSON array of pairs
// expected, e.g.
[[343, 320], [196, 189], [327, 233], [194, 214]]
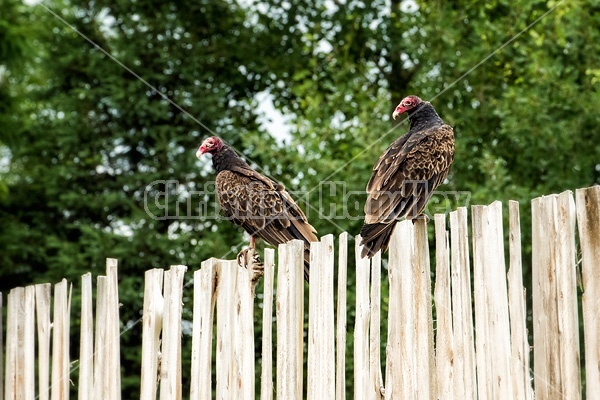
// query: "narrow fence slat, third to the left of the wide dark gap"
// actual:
[[86, 340]]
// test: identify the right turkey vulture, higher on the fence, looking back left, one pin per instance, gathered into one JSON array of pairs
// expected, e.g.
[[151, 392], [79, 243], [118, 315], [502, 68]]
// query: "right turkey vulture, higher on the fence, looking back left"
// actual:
[[406, 174]]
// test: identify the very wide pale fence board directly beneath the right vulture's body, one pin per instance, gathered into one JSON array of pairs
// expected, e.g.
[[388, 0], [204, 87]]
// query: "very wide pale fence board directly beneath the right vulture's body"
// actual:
[[410, 369]]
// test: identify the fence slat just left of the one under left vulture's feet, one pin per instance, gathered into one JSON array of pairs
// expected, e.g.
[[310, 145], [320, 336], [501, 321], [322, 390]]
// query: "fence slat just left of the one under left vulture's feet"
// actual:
[[227, 276]]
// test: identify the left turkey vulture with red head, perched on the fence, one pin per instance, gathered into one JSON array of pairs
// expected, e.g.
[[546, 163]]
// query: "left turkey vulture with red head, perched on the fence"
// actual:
[[255, 202]]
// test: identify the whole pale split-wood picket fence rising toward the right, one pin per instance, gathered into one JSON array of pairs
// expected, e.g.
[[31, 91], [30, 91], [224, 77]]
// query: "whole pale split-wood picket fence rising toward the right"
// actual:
[[479, 348]]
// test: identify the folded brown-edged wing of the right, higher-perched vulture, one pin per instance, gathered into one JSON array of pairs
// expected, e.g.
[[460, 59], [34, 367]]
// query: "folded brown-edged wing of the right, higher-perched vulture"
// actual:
[[408, 172]]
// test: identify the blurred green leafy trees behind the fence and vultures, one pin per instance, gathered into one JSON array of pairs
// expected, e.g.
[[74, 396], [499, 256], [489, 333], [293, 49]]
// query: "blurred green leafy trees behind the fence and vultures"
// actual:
[[82, 138]]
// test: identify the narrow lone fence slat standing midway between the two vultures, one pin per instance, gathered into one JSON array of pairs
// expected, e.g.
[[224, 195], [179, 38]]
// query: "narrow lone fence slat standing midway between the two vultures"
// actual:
[[340, 373]]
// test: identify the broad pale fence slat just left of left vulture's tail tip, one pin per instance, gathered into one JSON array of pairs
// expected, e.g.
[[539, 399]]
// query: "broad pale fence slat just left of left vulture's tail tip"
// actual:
[[290, 313]]
